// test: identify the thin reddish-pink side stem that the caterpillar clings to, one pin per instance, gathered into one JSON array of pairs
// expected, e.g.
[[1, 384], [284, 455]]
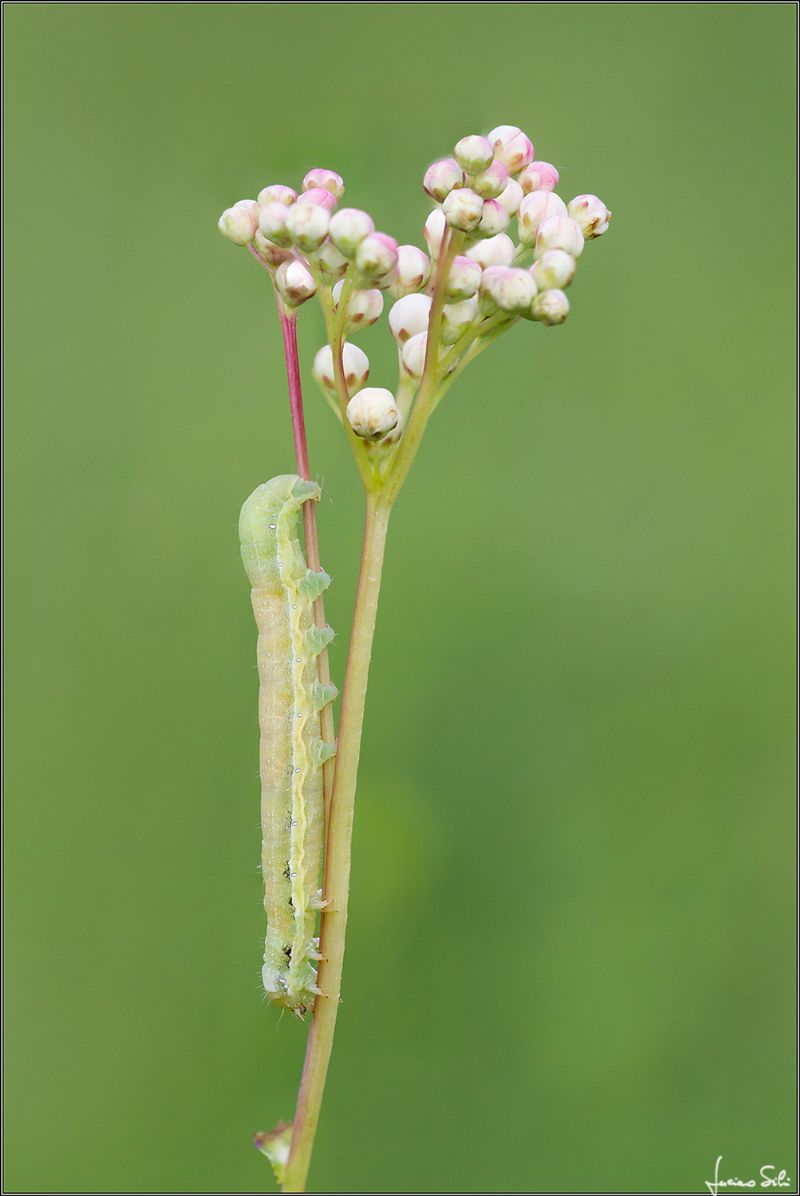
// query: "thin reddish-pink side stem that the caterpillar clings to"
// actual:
[[290, 333]]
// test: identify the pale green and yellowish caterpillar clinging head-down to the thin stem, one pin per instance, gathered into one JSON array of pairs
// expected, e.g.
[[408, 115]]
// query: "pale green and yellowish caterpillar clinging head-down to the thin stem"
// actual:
[[292, 752]]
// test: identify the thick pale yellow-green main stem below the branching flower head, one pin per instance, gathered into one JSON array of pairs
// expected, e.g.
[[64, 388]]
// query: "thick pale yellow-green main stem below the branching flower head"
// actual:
[[338, 850]]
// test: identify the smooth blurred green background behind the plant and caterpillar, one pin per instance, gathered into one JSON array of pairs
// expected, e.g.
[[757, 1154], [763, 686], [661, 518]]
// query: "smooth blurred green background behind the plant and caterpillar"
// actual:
[[571, 951]]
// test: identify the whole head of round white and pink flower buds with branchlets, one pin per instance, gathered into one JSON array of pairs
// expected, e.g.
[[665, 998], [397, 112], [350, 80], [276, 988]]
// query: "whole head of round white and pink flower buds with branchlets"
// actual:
[[499, 204]]
